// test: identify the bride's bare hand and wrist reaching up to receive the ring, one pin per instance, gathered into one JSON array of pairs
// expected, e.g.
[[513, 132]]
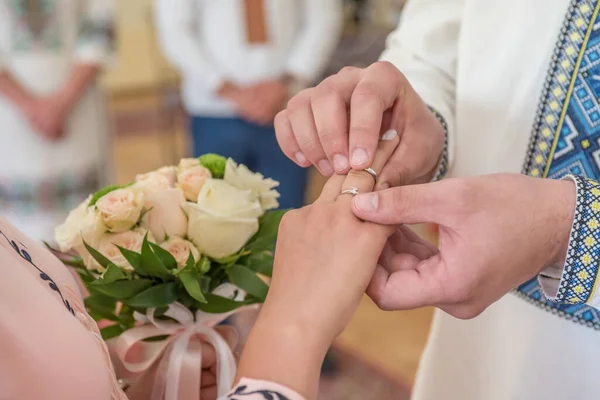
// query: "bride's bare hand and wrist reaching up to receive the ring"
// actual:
[[324, 261]]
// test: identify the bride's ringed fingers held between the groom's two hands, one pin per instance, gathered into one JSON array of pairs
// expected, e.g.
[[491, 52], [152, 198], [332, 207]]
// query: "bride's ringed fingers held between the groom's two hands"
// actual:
[[362, 180]]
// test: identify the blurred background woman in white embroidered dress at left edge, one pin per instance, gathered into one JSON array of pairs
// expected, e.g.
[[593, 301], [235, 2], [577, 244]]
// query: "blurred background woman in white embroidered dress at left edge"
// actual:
[[53, 123]]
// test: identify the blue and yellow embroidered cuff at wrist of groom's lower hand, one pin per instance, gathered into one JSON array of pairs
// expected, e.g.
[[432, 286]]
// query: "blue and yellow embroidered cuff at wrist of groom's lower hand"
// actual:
[[576, 282]]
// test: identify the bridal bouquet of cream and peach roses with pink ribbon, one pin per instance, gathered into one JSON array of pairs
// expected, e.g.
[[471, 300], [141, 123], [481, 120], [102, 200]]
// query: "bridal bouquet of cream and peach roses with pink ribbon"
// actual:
[[170, 256]]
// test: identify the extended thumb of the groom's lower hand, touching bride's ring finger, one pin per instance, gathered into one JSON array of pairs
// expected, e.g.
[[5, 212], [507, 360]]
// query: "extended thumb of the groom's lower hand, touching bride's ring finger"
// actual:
[[402, 205]]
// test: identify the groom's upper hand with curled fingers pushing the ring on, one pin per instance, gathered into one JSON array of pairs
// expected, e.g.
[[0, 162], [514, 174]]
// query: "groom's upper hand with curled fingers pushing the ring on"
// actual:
[[337, 125]]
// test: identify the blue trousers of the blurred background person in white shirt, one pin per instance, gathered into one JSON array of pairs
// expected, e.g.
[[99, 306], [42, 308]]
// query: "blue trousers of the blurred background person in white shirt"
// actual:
[[256, 147]]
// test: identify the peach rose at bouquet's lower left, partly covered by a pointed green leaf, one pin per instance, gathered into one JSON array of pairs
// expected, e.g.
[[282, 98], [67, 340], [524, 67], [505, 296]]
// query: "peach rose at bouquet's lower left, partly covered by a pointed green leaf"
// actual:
[[130, 240]]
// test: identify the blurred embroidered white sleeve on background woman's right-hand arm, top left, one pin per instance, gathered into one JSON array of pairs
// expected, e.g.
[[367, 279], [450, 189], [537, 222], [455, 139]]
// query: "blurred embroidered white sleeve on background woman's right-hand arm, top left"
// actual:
[[96, 41]]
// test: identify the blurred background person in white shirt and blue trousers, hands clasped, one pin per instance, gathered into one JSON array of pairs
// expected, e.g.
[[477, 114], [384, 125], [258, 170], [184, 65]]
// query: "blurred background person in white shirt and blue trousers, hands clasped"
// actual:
[[240, 60]]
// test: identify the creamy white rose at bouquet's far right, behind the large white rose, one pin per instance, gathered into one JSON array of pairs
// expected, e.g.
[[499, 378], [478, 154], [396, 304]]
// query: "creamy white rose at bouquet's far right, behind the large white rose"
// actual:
[[263, 188]]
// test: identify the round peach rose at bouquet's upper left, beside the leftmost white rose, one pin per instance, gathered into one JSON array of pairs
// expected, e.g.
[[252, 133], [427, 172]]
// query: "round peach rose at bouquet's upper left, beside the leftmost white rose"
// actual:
[[121, 208]]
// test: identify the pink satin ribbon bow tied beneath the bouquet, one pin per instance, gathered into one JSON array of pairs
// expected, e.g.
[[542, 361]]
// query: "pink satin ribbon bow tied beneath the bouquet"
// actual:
[[179, 356]]
